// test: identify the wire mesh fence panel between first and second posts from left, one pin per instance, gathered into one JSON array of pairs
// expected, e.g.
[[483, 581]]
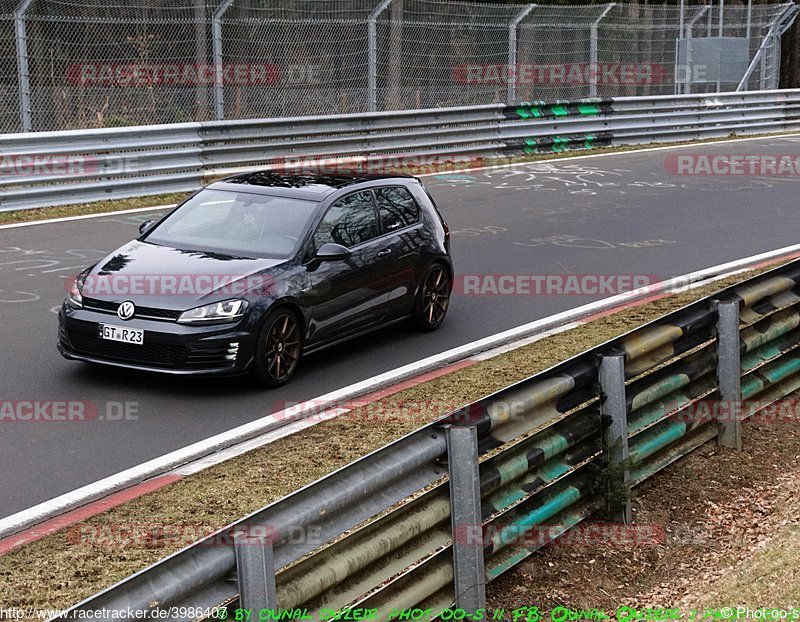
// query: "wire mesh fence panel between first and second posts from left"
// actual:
[[104, 64]]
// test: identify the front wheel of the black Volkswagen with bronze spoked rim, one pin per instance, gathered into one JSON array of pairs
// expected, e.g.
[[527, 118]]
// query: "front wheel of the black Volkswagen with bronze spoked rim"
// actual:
[[278, 350]]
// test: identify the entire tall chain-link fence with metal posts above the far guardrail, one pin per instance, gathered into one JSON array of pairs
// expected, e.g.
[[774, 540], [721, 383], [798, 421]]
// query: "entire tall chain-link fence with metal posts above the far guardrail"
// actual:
[[68, 64]]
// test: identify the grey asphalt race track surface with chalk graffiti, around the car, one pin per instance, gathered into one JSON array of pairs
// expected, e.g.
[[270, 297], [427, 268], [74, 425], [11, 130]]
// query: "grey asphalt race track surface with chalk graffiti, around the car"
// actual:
[[618, 214]]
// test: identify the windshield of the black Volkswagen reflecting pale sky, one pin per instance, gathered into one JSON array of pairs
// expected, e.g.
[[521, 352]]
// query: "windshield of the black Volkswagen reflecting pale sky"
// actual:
[[237, 223]]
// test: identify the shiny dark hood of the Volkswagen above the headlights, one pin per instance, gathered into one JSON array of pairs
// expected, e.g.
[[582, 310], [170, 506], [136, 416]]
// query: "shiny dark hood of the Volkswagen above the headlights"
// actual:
[[170, 278]]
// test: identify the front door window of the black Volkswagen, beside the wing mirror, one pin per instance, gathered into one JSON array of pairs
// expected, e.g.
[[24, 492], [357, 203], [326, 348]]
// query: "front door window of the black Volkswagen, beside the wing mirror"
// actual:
[[349, 221]]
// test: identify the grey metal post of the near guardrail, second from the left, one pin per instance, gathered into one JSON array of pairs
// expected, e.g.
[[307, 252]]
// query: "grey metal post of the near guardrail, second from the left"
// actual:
[[465, 516]]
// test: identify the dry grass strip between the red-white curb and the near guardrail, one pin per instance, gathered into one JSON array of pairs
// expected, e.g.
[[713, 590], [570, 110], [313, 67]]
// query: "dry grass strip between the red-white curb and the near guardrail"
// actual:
[[58, 571]]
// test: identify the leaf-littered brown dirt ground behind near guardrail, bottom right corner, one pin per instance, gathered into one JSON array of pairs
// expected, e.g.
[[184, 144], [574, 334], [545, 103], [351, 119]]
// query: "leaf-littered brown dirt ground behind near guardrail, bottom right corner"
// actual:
[[732, 537]]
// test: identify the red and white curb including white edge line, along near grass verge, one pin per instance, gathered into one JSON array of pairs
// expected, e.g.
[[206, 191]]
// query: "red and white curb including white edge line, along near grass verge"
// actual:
[[67, 509]]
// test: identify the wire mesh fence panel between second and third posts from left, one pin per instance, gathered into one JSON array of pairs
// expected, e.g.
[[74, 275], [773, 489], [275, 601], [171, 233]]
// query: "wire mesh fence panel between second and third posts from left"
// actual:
[[315, 60]]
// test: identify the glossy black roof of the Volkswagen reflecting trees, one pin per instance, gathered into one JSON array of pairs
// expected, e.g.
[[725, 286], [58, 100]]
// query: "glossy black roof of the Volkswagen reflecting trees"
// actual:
[[310, 186]]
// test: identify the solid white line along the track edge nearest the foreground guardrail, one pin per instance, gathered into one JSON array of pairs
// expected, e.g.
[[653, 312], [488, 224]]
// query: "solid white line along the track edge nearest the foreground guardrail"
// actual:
[[260, 427]]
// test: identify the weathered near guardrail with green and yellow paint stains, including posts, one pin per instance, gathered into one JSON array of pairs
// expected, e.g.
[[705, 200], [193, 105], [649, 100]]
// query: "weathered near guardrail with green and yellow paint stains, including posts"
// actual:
[[393, 531]]
